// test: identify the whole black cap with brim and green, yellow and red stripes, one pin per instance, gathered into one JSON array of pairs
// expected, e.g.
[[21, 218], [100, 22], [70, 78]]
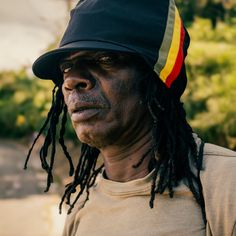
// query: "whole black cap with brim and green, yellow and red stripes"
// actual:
[[152, 29]]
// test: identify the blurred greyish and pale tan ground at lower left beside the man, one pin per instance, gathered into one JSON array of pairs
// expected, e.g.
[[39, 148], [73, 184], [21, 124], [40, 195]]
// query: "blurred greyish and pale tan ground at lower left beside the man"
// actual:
[[25, 209]]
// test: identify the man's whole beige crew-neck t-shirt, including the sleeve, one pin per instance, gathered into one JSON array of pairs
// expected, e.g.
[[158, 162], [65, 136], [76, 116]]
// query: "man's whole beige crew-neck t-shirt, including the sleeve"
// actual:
[[122, 209]]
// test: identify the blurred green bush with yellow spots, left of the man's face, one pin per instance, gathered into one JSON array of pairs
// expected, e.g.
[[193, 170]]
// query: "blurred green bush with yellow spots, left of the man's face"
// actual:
[[24, 102]]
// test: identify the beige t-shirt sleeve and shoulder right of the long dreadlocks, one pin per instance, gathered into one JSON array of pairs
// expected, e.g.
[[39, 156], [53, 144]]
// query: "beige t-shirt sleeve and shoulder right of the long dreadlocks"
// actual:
[[219, 189]]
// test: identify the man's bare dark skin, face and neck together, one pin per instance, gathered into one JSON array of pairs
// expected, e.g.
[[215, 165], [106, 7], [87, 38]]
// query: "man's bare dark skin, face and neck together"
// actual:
[[108, 112]]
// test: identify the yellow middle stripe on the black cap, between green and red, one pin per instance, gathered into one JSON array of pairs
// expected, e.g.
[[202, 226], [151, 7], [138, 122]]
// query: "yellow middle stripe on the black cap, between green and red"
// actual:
[[174, 49]]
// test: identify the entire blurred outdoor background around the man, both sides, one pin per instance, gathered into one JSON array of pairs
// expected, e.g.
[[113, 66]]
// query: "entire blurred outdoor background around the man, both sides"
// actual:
[[30, 27]]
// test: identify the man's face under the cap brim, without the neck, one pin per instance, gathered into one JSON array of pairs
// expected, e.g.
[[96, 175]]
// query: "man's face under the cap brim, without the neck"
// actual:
[[102, 92]]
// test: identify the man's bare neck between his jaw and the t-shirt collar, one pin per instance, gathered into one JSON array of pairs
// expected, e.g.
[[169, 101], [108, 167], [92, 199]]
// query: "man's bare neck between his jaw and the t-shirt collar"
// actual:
[[122, 163]]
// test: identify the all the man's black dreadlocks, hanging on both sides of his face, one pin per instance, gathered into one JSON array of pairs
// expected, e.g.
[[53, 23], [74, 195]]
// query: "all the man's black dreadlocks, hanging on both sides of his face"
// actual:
[[175, 151]]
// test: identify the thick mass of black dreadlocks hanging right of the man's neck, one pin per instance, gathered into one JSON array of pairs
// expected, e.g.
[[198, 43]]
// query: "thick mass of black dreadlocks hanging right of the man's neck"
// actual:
[[175, 150]]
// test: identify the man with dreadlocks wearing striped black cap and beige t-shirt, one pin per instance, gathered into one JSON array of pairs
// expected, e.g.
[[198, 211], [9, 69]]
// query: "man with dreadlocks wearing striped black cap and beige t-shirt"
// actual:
[[119, 72]]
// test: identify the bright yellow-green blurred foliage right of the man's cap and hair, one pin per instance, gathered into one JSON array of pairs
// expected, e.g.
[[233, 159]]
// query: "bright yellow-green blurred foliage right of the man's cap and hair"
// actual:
[[210, 99]]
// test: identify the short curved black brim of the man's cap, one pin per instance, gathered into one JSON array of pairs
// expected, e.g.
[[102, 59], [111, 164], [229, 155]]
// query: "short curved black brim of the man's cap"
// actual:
[[47, 65]]
